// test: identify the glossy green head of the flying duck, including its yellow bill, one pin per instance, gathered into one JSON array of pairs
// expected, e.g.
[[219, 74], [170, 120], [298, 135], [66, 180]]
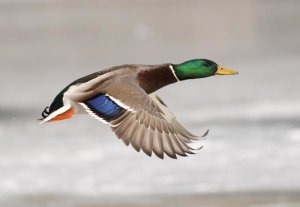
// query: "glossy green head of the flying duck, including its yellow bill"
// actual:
[[199, 68]]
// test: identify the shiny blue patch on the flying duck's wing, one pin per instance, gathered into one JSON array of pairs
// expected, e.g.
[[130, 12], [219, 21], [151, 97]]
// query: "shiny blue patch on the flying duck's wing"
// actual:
[[103, 106]]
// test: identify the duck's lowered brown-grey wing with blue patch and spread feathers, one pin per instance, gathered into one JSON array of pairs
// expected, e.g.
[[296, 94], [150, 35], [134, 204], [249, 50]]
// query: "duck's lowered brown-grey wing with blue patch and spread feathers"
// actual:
[[141, 120]]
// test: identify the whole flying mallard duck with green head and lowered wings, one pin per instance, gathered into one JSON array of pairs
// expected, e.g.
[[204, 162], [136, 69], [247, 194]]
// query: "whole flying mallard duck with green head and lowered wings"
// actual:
[[123, 97]]
